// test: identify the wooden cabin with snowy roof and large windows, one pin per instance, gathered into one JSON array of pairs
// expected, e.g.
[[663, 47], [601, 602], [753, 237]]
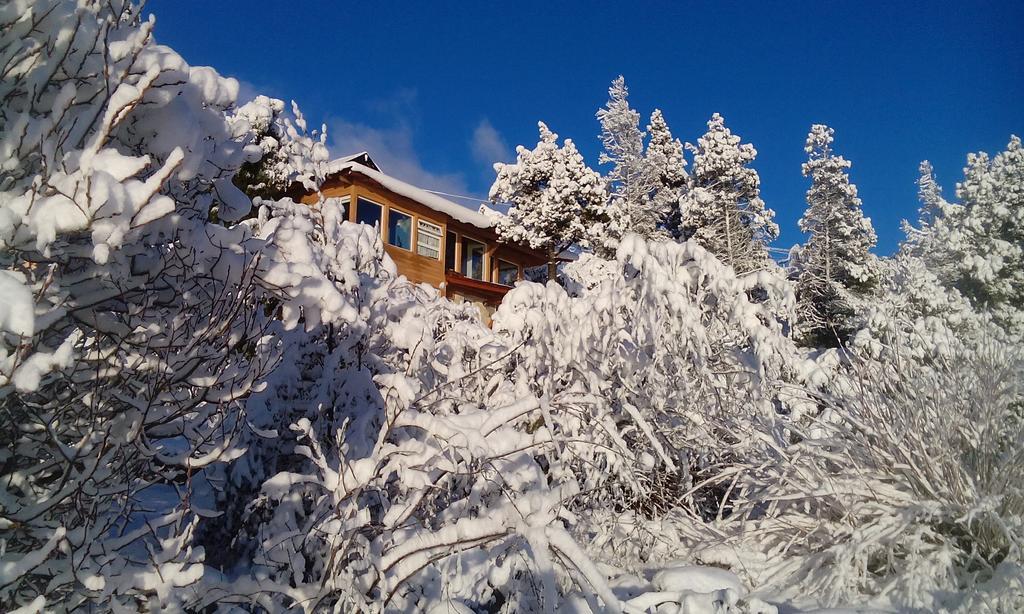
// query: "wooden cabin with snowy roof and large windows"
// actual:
[[431, 239]]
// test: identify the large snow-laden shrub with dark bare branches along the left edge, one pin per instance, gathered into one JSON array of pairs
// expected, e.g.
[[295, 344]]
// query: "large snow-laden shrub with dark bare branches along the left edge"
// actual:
[[130, 336]]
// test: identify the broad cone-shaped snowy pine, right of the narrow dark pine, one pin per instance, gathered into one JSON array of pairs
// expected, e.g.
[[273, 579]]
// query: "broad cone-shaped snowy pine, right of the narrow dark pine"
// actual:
[[724, 211]]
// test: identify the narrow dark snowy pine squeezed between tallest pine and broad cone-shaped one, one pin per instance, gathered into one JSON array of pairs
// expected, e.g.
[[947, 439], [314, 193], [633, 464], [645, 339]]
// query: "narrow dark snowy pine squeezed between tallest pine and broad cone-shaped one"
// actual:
[[667, 167]]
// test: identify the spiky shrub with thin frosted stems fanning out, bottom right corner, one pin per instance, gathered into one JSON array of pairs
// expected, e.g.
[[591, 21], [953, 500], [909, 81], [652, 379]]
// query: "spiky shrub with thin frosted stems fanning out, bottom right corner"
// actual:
[[909, 490]]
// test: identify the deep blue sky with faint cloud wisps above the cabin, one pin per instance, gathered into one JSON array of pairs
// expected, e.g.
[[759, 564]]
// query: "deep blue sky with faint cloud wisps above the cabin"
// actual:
[[438, 92]]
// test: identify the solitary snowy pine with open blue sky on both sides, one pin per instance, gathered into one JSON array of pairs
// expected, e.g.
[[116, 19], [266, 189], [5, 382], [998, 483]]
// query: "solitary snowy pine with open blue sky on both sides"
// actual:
[[836, 262]]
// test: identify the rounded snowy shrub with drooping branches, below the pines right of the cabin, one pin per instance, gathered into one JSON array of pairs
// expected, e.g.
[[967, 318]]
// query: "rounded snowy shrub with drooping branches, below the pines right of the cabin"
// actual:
[[671, 366]]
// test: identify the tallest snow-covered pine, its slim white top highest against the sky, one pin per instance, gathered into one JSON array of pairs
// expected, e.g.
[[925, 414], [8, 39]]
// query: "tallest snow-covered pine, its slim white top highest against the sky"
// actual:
[[630, 208]]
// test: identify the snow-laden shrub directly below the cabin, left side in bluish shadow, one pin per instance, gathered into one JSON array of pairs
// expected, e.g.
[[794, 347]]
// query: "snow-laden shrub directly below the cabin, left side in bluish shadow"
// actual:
[[394, 463]]
